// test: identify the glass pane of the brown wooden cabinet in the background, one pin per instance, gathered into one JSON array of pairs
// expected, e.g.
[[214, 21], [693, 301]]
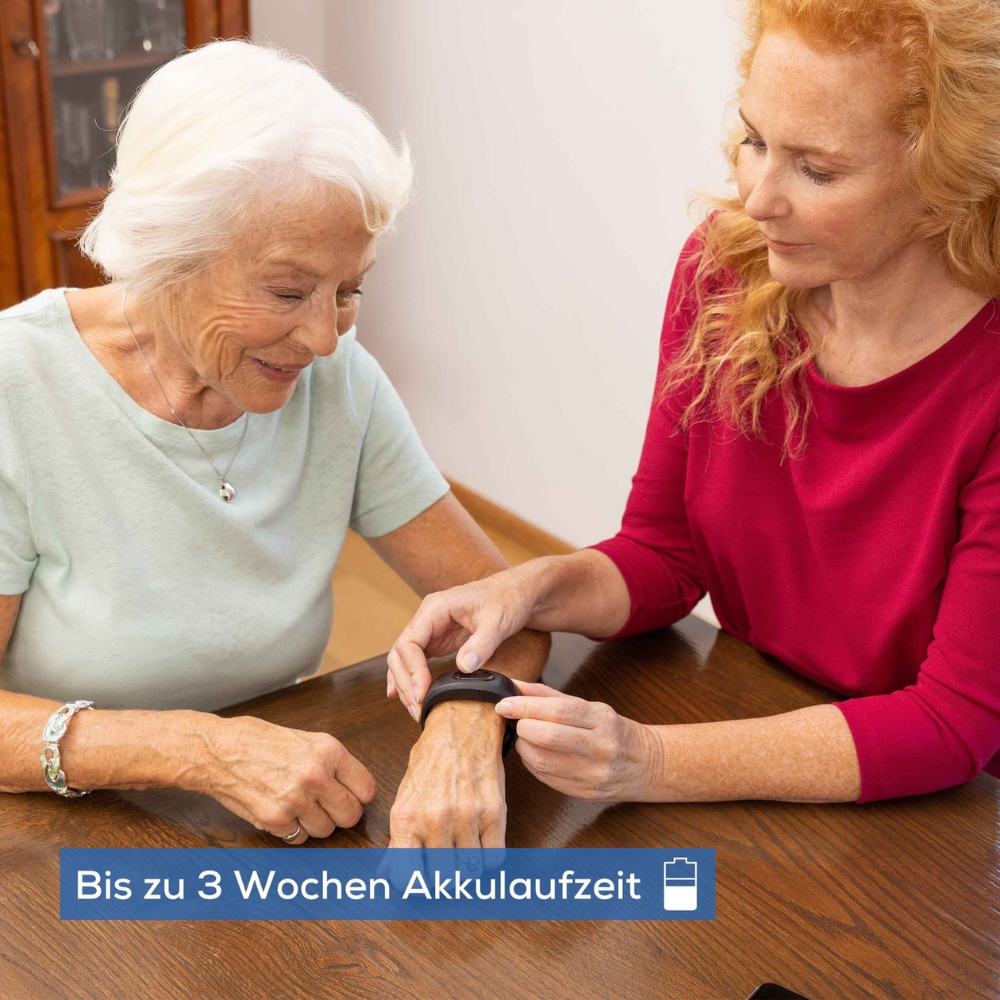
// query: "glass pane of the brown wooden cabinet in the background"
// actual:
[[99, 52]]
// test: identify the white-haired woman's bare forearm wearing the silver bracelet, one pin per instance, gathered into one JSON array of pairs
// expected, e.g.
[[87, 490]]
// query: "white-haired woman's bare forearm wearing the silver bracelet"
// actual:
[[104, 749]]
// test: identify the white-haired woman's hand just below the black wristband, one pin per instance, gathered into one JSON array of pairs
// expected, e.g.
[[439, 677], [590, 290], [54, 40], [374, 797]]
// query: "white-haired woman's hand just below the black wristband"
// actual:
[[453, 792]]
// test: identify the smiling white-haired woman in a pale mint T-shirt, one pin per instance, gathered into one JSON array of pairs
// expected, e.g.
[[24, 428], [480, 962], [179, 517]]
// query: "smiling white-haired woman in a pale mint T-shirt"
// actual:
[[183, 449]]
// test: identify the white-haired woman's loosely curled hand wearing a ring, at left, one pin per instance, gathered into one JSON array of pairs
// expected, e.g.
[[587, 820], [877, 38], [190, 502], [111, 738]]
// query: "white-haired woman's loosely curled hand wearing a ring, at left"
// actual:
[[278, 778]]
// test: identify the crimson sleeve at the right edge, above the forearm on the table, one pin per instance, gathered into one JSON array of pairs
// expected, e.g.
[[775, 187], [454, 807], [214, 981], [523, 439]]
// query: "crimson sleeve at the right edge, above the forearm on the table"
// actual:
[[944, 728]]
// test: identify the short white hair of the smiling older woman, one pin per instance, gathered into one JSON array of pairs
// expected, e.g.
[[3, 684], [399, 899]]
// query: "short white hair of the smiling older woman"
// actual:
[[215, 135]]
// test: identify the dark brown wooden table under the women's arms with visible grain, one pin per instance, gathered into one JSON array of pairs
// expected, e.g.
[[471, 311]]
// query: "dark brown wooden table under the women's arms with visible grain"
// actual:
[[896, 899]]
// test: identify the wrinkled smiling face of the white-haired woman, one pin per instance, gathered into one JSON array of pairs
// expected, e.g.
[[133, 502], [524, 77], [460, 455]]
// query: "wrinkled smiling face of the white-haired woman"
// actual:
[[278, 306]]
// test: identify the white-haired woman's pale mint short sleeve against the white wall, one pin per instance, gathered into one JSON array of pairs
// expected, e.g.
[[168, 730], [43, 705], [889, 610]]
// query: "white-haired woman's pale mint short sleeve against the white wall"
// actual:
[[396, 479]]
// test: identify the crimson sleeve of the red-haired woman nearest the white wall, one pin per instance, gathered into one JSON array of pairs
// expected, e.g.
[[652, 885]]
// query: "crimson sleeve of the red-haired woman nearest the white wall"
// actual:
[[654, 551]]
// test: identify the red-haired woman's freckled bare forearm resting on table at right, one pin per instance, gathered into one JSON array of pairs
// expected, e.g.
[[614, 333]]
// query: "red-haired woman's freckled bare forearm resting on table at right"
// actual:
[[803, 756]]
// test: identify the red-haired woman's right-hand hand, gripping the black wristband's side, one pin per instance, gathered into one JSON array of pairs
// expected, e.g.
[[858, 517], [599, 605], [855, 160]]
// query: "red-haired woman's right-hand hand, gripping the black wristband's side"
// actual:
[[582, 748]]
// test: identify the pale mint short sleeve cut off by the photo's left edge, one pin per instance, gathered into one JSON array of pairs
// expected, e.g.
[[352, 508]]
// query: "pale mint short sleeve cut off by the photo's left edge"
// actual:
[[18, 557]]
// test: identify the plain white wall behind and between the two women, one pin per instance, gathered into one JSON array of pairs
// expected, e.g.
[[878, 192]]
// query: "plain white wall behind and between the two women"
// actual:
[[518, 307]]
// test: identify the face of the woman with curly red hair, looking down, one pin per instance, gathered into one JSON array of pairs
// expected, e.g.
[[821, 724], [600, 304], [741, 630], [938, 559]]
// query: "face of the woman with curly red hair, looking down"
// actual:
[[847, 201]]
